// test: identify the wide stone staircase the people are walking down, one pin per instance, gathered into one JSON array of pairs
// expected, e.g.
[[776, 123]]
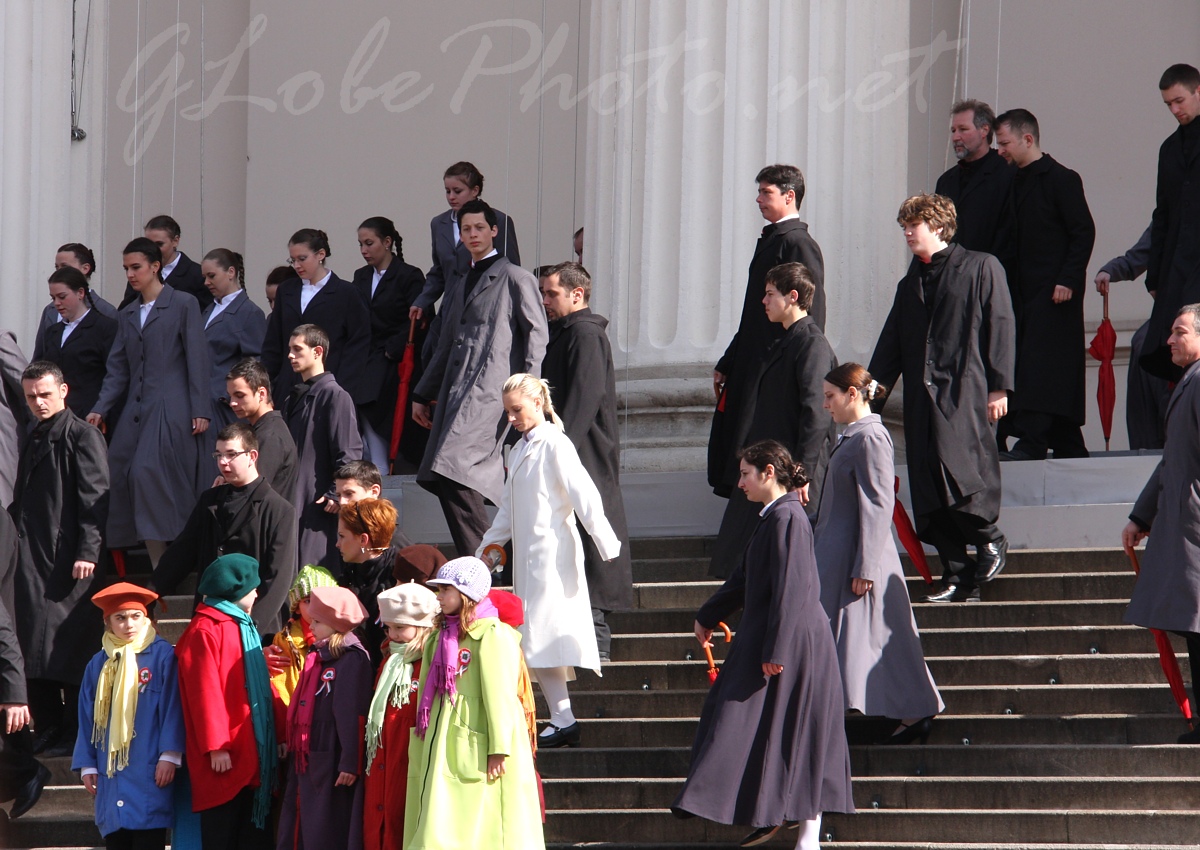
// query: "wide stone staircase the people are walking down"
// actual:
[[1060, 729]]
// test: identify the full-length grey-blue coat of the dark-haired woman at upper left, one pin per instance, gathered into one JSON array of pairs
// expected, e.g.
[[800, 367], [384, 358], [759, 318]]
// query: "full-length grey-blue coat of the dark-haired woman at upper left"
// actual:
[[163, 373]]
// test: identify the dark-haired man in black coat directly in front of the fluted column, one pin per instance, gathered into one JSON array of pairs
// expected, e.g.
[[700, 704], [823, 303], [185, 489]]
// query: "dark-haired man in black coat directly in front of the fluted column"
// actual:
[[785, 240]]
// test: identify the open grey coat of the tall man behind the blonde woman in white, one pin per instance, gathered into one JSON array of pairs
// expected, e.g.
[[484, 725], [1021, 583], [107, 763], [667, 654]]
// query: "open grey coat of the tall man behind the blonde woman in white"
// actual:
[[496, 332]]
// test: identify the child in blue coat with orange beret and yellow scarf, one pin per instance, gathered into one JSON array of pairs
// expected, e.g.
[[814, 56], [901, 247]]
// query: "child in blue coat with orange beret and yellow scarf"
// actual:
[[131, 726]]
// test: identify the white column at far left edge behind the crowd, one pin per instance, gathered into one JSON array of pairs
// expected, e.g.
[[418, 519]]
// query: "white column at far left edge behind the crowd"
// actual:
[[51, 189]]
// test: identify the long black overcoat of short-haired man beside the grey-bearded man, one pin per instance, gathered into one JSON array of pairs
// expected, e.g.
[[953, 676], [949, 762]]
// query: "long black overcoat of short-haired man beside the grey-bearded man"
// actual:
[[1052, 242]]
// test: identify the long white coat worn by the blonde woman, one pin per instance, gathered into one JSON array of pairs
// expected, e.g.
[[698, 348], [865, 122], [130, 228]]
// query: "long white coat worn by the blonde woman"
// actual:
[[547, 489]]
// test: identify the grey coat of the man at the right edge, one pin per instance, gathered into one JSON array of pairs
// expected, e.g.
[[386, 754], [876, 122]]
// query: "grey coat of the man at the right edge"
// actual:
[[1168, 591]]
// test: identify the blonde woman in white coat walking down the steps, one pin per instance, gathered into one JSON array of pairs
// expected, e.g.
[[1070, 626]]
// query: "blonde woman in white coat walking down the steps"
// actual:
[[547, 489]]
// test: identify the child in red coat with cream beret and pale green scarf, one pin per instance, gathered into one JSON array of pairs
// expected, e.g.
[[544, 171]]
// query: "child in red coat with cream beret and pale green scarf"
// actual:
[[407, 613]]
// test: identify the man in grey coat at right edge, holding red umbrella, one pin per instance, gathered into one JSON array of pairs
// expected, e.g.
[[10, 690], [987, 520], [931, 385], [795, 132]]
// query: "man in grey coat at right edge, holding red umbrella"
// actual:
[[1168, 592]]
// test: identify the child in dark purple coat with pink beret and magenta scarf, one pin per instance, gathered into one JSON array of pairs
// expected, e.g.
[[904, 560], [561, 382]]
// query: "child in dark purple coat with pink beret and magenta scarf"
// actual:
[[323, 799]]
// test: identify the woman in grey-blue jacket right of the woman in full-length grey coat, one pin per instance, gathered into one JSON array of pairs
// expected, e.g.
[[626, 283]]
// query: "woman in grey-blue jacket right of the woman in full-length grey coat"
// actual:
[[233, 326]]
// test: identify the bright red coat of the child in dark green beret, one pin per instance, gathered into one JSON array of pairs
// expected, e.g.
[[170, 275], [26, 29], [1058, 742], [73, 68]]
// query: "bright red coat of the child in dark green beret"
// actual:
[[217, 710]]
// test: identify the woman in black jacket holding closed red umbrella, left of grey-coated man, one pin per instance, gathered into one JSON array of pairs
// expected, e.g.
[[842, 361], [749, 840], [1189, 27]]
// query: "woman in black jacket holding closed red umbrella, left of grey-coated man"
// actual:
[[389, 286]]
